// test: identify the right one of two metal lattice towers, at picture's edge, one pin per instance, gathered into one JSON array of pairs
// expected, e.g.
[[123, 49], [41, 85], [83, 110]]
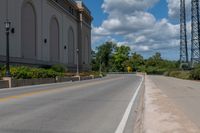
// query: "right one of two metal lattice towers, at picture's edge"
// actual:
[[195, 46]]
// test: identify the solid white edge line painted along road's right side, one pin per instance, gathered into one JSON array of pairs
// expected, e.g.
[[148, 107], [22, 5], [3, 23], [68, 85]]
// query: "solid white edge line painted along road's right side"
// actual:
[[122, 124]]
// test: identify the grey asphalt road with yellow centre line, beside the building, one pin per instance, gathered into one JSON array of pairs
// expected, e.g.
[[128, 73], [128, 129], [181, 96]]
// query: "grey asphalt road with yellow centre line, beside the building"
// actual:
[[95, 106]]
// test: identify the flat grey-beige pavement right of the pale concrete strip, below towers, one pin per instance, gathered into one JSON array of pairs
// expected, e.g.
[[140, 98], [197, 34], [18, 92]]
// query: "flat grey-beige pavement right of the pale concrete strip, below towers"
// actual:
[[184, 93]]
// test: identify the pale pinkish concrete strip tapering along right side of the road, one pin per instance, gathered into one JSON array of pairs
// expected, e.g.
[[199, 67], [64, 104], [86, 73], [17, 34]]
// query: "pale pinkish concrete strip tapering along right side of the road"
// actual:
[[161, 115]]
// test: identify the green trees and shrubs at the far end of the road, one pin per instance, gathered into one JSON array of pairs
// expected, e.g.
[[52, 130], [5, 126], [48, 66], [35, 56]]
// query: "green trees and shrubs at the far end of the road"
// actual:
[[110, 57]]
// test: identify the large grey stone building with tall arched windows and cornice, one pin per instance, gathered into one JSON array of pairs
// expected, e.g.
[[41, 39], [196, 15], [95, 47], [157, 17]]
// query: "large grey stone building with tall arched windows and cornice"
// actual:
[[46, 32]]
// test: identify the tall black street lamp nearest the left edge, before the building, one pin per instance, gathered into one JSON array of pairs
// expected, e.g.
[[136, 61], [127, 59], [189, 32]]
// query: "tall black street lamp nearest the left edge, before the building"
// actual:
[[7, 27]]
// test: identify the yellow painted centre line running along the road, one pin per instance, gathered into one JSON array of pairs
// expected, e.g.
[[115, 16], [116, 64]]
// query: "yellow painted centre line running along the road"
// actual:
[[19, 96]]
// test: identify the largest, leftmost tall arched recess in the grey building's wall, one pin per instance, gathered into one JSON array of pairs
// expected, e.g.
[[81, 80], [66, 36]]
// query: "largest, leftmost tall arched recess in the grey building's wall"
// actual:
[[28, 31]]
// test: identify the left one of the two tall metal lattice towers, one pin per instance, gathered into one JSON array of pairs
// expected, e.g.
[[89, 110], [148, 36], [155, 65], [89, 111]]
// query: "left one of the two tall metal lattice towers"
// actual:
[[183, 35]]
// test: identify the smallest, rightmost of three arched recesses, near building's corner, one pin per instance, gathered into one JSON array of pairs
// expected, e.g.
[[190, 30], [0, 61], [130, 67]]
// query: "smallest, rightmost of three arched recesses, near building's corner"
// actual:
[[71, 46]]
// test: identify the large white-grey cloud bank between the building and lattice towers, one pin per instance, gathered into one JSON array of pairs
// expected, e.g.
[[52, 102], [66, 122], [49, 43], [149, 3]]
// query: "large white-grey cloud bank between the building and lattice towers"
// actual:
[[140, 29]]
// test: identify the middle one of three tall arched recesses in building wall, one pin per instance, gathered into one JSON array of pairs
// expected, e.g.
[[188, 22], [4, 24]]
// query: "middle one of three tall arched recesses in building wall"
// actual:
[[54, 40]]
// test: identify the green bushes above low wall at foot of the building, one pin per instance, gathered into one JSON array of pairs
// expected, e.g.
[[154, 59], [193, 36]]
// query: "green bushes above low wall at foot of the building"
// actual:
[[24, 72]]
